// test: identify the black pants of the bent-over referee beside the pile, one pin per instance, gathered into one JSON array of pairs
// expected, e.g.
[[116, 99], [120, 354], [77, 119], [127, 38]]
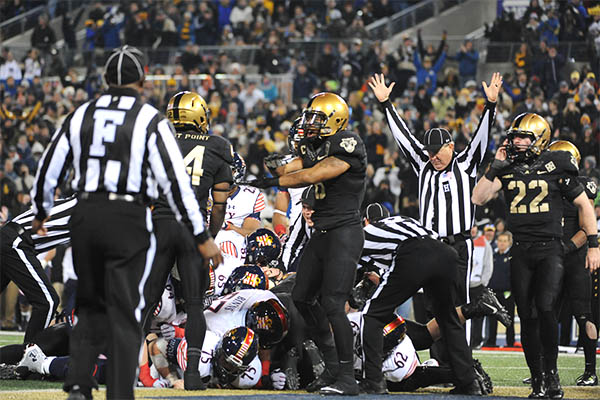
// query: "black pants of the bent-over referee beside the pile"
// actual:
[[429, 264]]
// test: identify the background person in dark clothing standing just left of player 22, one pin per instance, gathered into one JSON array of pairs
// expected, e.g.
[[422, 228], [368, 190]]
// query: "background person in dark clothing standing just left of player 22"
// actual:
[[500, 284]]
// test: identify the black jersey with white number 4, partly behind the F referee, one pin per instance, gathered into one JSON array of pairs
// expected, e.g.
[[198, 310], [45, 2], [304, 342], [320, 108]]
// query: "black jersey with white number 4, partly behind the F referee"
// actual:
[[208, 160]]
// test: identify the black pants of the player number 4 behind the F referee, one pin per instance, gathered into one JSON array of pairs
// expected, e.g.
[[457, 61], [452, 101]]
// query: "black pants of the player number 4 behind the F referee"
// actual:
[[175, 243]]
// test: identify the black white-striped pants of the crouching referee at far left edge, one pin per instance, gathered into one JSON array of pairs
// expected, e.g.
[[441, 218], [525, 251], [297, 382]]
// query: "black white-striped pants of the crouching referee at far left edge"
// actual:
[[19, 264]]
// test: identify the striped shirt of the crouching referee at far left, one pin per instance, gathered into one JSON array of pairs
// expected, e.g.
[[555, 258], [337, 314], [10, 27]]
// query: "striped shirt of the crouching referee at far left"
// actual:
[[57, 225]]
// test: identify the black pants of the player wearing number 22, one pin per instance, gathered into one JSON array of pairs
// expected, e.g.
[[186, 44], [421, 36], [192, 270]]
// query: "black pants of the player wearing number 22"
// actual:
[[536, 274]]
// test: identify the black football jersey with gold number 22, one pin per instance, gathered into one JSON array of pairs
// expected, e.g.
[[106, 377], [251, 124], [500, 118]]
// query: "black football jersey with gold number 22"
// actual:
[[534, 195]]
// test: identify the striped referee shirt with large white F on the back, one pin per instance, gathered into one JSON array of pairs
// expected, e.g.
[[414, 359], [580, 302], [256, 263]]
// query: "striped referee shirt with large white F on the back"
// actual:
[[118, 144]]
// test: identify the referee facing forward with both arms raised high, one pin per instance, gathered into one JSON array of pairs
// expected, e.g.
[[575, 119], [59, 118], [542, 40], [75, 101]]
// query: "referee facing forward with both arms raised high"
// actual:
[[446, 178]]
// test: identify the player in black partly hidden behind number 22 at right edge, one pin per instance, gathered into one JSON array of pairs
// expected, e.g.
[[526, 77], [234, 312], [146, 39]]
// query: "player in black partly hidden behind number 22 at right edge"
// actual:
[[577, 283]]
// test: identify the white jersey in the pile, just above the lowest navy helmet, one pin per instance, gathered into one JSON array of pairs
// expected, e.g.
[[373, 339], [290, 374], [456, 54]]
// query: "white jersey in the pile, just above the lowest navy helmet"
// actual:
[[229, 311]]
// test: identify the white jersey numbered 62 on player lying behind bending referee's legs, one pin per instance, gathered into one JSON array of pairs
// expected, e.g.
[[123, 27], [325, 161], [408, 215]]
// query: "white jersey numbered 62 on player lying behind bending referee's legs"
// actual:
[[399, 365]]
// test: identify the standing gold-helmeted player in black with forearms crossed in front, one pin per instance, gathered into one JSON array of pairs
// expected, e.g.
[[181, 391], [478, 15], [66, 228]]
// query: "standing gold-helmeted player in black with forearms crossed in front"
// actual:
[[333, 160]]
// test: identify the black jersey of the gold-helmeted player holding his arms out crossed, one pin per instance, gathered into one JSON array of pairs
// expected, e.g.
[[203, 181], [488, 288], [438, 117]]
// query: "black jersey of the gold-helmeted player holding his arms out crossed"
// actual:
[[338, 200]]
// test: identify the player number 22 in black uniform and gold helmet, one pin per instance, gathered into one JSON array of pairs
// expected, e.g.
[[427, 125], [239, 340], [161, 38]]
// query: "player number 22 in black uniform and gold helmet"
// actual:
[[534, 182]]
